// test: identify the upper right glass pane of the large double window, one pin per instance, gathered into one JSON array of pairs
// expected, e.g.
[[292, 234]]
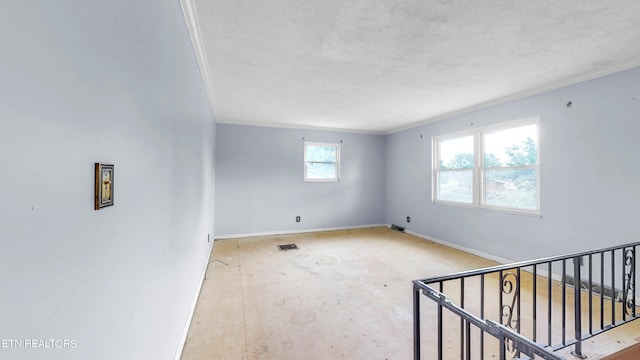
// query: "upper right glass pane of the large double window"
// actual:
[[512, 147]]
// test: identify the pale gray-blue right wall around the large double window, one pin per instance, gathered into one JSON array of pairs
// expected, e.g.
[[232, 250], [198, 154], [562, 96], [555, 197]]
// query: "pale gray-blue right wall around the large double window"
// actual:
[[590, 184]]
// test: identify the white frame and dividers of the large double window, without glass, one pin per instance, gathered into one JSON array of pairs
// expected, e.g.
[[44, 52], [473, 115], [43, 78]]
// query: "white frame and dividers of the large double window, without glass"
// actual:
[[479, 169]]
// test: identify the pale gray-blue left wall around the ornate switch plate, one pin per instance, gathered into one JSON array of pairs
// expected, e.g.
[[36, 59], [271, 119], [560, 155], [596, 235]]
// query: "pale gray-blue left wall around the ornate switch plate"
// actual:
[[84, 82]]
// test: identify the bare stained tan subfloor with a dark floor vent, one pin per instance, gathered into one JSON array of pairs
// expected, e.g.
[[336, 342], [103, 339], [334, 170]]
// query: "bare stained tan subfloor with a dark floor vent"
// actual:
[[342, 295]]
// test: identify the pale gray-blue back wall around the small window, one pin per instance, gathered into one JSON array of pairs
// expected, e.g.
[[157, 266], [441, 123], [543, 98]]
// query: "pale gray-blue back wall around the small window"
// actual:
[[260, 188]]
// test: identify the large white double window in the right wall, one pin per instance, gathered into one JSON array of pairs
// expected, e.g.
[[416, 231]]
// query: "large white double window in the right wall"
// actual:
[[494, 167]]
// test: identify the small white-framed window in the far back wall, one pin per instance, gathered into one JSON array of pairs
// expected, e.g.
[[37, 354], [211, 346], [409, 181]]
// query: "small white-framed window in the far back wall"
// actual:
[[321, 162]]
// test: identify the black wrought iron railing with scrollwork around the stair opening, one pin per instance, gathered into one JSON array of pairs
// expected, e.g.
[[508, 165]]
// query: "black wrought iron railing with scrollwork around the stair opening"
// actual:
[[526, 310]]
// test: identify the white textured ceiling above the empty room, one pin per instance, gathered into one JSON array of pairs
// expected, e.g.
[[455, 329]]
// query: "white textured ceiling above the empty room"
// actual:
[[379, 66]]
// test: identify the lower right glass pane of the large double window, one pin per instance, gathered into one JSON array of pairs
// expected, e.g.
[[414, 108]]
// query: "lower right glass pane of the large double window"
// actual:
[[511, 188]]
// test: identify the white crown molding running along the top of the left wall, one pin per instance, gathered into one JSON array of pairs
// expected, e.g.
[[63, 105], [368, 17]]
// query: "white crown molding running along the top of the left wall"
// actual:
[[191, 18]]
